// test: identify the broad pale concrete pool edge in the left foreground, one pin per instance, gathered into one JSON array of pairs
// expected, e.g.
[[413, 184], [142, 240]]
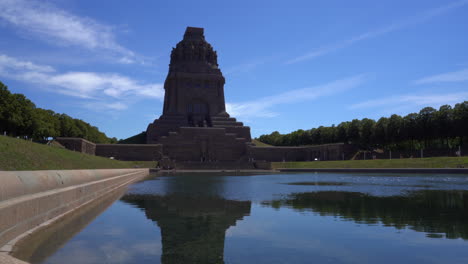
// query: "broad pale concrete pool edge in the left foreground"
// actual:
[[32, 199]]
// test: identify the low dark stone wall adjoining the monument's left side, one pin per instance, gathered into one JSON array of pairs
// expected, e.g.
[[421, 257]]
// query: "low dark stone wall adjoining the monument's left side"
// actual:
[[147, 152]]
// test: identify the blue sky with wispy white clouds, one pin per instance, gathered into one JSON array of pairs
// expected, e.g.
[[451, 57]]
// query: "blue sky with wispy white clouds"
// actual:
[[288, 64]]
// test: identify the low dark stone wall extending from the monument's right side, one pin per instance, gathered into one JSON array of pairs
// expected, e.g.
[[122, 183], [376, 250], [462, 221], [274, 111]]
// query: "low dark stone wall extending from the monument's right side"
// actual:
[[309, 153]]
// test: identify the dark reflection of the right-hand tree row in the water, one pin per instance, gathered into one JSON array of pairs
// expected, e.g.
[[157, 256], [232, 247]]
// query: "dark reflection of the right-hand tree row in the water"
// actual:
[[431, 211]]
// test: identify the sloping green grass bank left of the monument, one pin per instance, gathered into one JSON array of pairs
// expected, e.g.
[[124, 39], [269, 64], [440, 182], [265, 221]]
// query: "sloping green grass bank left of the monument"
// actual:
[[18, 154]]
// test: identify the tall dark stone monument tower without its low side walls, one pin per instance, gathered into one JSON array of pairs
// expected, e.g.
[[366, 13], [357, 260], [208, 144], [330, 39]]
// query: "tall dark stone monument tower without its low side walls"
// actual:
[[194, 125]]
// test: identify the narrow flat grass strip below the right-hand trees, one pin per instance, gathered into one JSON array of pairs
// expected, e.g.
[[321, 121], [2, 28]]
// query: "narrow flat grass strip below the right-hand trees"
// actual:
[[439, 162]]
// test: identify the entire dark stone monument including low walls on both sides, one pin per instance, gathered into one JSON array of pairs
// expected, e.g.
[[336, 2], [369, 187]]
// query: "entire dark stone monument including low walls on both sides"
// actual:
[[194, 130]]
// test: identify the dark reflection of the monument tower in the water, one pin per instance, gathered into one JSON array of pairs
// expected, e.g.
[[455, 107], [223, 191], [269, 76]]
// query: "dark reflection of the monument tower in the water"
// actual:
[[192, 228]]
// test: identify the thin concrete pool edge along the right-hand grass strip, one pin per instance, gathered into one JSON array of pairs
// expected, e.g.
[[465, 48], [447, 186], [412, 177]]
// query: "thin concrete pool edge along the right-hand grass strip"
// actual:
[[379, 170]]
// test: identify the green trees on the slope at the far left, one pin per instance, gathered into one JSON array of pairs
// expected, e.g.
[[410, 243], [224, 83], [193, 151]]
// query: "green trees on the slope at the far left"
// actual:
[[19, 117]]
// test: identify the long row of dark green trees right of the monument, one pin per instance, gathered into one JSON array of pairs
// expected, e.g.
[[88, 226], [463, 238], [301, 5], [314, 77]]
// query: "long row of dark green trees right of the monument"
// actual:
[[430, 128]]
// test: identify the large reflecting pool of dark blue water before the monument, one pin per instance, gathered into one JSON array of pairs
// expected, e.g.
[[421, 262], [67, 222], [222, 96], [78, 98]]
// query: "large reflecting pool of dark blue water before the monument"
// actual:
[[269, 218]]
